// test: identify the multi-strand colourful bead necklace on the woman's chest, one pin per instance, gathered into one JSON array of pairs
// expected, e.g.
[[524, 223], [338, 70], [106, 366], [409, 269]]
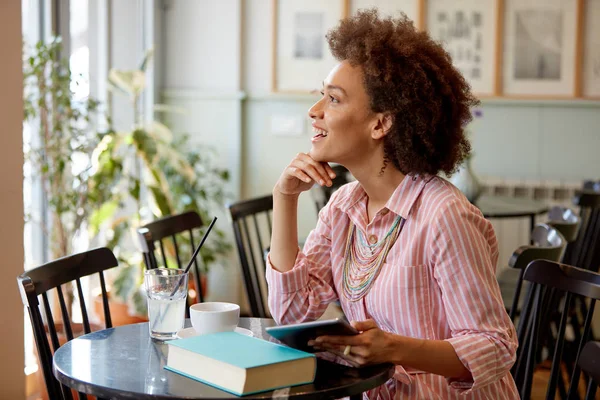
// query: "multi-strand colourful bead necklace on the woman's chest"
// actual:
[[363, 261]]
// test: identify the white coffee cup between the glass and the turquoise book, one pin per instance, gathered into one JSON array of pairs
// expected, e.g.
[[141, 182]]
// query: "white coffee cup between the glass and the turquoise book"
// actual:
[[212, 317]]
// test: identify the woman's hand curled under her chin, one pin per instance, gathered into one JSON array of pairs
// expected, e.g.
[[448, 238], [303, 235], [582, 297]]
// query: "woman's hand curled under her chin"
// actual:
[[300, 175]]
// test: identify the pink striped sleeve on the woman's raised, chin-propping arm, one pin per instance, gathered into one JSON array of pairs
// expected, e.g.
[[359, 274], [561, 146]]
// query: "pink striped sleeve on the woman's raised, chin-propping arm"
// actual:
[[303, 293]]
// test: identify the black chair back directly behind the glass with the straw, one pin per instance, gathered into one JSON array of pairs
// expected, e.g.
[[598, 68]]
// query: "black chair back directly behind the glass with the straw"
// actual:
[[165, 232]]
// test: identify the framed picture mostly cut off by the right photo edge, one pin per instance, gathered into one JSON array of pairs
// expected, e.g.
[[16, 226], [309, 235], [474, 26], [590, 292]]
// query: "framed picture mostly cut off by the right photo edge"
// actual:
[[591, 49]]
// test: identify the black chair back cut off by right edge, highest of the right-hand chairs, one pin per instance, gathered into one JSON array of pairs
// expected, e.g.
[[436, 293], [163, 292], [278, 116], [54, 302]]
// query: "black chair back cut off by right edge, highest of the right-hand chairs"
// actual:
[[584, 252]]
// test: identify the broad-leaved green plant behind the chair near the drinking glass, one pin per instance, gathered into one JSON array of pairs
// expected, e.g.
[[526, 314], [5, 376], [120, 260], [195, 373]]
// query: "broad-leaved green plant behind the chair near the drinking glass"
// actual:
[[153, 173]]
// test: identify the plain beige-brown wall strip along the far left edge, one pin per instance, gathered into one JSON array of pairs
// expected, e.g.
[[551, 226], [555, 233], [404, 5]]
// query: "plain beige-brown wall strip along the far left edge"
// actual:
[[12, 377]]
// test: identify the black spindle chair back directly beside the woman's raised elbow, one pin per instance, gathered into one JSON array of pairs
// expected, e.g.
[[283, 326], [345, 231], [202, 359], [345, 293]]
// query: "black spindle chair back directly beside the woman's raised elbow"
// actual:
[[252, 227]]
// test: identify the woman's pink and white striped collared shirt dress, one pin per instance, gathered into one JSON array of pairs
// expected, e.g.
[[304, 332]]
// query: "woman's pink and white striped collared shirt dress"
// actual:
[[438, 282]]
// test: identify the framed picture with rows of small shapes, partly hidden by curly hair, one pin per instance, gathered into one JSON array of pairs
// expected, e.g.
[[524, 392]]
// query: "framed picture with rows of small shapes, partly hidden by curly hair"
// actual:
[[468, 30]]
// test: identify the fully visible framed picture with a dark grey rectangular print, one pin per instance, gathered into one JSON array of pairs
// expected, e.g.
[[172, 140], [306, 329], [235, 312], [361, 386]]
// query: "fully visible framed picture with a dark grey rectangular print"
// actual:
[[540, 48]]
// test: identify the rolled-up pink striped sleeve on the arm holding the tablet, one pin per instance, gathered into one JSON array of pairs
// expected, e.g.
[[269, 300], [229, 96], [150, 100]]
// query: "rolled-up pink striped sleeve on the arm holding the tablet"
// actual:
[[464, 255]]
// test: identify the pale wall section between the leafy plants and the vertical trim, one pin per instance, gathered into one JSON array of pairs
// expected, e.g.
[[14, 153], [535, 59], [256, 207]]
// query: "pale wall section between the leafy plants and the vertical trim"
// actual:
[[202, 72]]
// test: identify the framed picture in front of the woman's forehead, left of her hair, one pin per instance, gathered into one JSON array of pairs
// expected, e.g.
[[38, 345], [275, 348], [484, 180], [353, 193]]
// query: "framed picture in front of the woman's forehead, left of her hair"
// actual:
[[301, 56]]
